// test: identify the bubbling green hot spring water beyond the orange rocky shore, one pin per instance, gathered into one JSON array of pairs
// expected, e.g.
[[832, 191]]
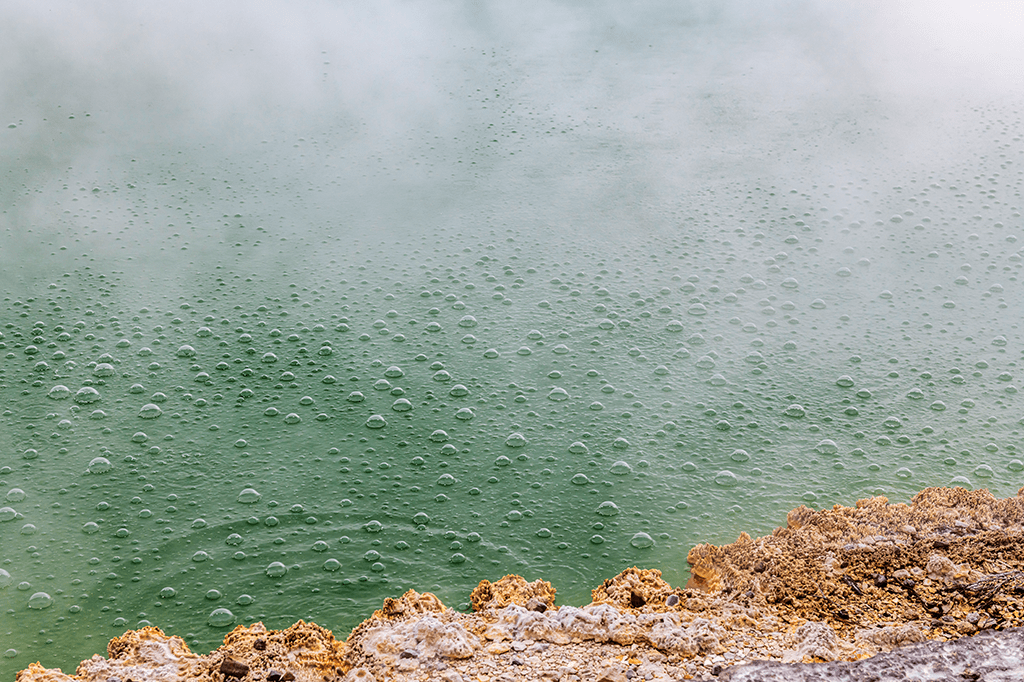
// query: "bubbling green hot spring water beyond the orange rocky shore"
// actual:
[[300, 320]]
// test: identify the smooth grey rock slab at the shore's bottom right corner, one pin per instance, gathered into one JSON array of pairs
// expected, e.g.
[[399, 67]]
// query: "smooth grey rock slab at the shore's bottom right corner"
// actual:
[[990, 657]]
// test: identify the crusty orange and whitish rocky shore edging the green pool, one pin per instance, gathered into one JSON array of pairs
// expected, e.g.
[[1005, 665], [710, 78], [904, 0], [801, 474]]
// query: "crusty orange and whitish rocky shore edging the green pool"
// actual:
[[943, 578]]
